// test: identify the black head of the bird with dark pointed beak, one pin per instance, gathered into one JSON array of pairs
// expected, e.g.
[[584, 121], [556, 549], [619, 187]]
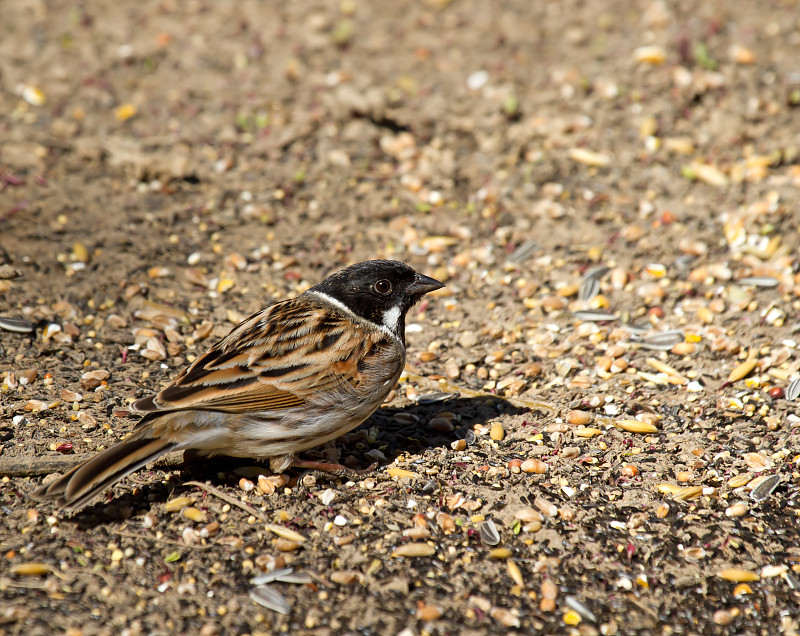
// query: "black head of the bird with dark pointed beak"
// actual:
[[380, 291]]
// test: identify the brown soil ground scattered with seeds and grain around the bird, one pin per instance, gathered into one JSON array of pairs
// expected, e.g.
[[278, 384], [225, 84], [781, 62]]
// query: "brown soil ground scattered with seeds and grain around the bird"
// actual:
[[167, 168]]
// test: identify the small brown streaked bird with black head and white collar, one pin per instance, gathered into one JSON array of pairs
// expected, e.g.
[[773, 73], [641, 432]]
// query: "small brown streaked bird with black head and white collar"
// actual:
[[297, 374]]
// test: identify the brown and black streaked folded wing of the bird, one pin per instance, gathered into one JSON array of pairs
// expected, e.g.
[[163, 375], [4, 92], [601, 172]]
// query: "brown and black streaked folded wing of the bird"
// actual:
[[280, 357]]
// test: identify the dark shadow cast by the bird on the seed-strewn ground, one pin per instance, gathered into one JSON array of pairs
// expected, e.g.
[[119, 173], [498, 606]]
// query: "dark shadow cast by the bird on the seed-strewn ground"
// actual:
[[436, 421]]
